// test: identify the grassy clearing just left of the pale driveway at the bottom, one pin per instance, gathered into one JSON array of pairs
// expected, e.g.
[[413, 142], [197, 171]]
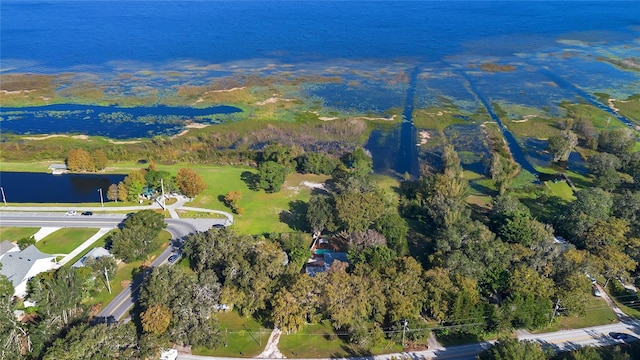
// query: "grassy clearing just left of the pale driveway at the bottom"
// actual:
[[244, 337]]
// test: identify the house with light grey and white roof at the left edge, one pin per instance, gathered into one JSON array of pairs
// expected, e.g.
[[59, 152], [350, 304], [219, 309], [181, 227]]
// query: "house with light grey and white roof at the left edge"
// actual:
[[20, 266]]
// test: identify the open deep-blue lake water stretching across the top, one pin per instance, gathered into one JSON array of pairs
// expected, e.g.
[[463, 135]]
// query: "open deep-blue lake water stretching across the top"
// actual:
[[79, 35]]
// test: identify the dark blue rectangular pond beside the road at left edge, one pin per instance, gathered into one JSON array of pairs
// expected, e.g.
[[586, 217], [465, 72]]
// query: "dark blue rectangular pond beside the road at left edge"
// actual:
[[24, 187]]
